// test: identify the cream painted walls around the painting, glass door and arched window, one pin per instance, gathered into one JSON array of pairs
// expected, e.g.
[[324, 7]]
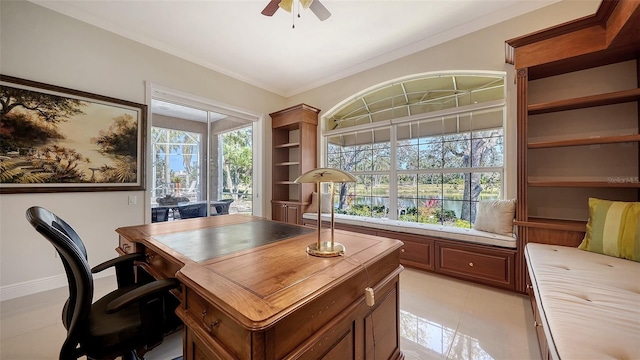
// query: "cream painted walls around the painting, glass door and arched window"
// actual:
[[41, 45]]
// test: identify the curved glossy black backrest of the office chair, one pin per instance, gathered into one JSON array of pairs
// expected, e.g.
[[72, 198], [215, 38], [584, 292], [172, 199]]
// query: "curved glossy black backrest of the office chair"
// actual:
[[74, 258]]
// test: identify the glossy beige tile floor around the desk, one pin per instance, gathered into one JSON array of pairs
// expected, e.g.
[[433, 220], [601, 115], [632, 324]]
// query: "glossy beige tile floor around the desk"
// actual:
[[441, 318]]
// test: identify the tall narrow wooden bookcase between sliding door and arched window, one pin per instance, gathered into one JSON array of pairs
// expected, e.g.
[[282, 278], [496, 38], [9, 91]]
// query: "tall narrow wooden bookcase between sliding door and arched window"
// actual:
[[294, 132]]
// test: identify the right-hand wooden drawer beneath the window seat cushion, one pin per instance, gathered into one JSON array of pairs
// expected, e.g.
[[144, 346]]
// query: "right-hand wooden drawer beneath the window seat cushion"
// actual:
[[490, 266]]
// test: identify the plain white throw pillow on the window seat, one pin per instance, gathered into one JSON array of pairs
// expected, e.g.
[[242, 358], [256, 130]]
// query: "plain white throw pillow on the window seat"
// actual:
[[495, 216]]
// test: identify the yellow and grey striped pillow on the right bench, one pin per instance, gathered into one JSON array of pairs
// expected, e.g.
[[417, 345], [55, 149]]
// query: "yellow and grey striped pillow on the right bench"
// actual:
[[613, 229]]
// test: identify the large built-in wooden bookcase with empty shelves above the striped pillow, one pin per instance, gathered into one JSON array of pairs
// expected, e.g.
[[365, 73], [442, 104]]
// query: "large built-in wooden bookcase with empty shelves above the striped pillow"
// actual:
[[577, 119]]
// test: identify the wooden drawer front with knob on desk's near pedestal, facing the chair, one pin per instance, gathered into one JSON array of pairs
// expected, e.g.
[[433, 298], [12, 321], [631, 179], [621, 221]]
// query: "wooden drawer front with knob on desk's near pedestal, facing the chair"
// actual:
[[222, 332]]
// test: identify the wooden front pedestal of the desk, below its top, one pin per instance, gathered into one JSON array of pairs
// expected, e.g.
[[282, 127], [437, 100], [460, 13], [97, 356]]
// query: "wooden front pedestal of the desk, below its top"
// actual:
[[337, 325]]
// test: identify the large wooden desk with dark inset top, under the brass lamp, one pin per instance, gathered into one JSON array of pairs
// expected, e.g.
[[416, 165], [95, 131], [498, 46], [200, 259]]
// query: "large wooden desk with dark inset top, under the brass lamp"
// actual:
[[251, 291]]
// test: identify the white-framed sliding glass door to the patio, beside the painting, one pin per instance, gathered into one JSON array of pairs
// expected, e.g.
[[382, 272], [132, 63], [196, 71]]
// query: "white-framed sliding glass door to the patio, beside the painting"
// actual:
[[202, 161]]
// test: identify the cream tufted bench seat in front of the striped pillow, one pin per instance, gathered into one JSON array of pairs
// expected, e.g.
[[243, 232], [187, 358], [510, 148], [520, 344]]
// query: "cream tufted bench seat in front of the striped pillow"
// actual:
[[586, 305]]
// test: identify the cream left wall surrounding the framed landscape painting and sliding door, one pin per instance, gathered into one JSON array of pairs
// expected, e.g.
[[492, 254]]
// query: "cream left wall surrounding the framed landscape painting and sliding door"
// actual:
[[41, 45]]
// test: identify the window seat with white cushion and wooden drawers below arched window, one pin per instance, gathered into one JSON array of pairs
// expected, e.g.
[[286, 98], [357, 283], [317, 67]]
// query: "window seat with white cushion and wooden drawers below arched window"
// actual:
[[469, 254]]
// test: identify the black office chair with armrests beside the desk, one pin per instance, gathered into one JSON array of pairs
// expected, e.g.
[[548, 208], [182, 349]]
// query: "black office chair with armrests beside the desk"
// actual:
[[126, 322]]
